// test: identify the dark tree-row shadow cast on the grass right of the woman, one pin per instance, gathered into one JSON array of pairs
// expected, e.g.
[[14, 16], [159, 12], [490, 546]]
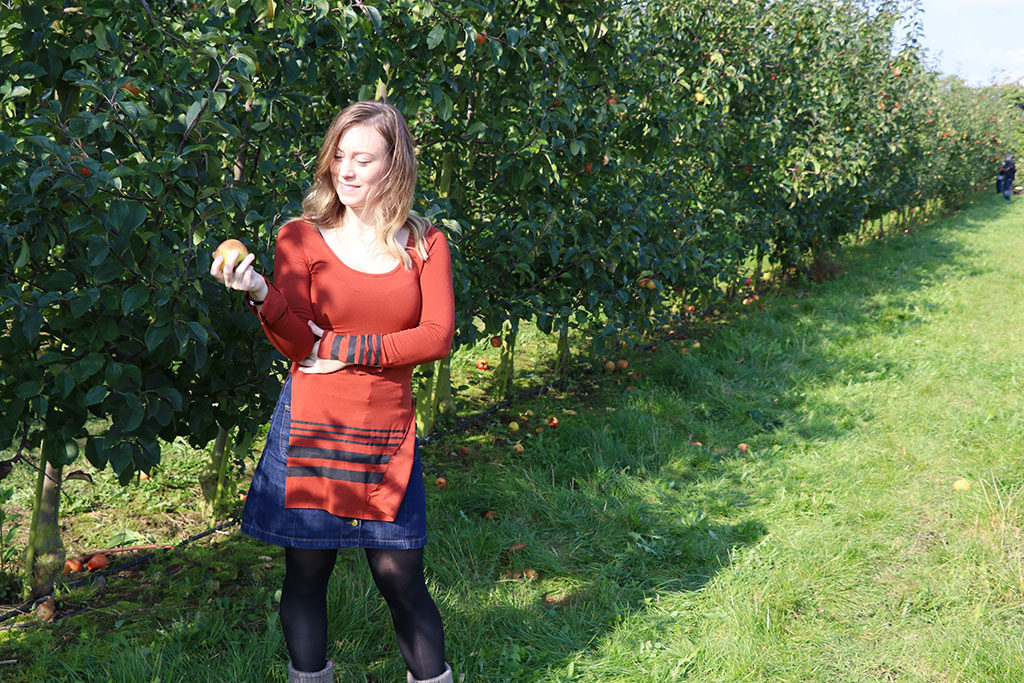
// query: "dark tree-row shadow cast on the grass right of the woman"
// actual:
[[622, 507]]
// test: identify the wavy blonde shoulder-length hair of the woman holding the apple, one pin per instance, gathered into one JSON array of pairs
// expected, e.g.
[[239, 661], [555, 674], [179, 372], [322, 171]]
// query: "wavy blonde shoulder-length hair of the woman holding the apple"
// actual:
[[390, 207]]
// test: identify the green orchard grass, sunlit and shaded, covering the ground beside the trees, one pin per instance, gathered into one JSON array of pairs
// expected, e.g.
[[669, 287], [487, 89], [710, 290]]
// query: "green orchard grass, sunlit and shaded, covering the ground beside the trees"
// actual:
[[836, 549]]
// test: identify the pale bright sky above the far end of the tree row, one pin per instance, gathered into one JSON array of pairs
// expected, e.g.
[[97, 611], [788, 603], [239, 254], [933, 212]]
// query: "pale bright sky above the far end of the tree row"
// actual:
[[978, 40]]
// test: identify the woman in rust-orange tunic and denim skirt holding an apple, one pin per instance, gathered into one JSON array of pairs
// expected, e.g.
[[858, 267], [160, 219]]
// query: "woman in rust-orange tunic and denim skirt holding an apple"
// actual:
[[362, 293]]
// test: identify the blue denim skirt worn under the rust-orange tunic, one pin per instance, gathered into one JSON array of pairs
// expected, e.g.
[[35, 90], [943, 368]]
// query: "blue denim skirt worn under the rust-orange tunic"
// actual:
[[267, 519]]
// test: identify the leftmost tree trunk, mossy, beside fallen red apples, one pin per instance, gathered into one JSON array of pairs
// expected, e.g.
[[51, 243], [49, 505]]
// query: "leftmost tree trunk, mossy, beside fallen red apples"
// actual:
[[46, 554]]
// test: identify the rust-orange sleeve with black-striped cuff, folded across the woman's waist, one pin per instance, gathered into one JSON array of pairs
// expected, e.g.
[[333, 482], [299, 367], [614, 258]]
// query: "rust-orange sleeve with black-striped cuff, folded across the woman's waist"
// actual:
[[430, 340]]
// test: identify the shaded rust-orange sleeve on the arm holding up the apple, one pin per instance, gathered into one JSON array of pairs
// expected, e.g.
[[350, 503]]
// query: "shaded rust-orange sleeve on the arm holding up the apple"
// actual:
[[287, 309]]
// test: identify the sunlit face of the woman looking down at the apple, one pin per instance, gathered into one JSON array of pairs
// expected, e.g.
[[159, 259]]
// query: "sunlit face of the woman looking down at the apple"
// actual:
[[360, 163]]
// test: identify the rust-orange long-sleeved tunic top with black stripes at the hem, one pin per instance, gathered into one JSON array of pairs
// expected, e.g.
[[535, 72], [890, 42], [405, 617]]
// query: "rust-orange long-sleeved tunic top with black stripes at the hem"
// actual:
[[354, 433]]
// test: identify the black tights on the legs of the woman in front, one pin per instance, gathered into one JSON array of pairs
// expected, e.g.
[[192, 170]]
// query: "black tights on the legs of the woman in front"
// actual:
[[399, 576]]
